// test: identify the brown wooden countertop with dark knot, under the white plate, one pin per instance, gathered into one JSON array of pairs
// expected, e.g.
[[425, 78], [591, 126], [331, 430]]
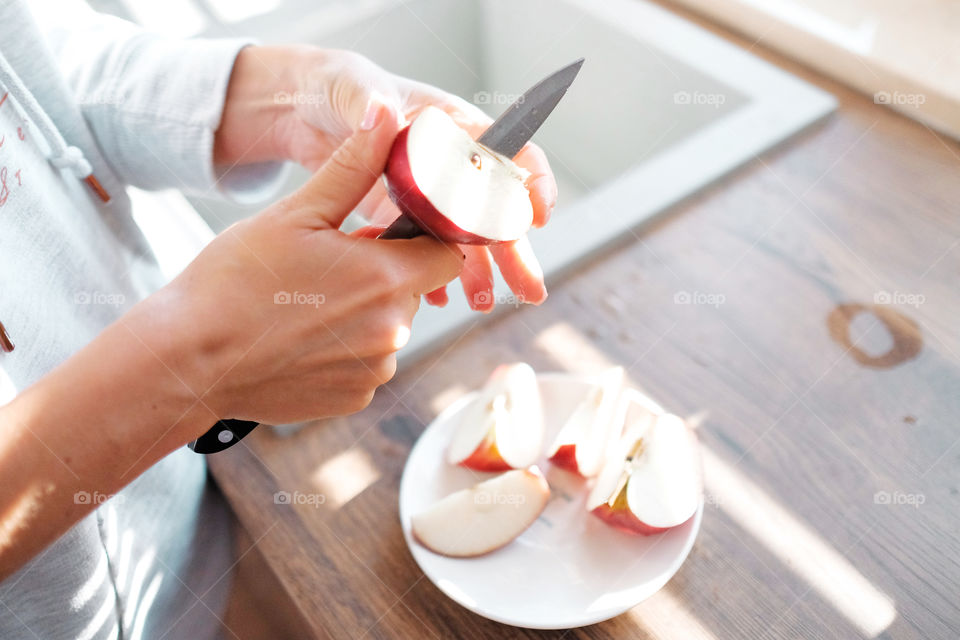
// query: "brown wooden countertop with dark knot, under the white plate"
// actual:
[[830, 425]]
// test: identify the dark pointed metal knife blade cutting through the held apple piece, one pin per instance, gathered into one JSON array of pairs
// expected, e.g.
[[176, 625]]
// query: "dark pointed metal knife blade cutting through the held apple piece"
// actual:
[[509, 132]]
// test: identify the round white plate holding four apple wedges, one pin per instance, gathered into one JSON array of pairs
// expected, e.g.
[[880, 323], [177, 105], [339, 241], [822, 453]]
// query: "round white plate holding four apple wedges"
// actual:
[[568, 569]]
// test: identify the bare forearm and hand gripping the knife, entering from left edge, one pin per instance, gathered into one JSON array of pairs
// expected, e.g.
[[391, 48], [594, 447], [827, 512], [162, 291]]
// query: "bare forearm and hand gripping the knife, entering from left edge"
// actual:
[[214, 343]]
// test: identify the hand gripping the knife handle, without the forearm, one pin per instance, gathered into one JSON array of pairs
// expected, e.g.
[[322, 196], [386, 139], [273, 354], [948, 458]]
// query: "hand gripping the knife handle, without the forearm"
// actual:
[[283, 317]]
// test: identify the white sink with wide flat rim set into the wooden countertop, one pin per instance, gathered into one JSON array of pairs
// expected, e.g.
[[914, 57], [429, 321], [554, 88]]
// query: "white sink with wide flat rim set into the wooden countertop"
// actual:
[[660, 109]]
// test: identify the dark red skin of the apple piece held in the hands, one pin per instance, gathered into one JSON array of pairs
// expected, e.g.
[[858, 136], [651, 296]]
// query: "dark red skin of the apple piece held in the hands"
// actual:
[[409, 199]]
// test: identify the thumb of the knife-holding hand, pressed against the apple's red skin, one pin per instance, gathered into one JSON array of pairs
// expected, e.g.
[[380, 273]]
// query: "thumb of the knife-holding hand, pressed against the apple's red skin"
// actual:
[[346, 177]]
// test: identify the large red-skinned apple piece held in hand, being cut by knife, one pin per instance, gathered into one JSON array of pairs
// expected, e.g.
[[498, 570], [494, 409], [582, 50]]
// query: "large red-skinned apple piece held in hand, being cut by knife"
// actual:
[[454, 187]]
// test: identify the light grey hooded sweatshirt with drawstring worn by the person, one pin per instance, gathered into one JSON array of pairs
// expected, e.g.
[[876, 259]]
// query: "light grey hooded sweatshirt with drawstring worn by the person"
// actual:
[[82, 93]]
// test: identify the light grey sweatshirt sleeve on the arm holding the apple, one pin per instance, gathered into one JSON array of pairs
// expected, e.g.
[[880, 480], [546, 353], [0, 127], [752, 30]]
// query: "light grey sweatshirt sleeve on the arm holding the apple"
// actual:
[[153, 102]]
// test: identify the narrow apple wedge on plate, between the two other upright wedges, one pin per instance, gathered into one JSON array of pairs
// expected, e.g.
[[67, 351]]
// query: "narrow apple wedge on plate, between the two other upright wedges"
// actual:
[[585, 439]]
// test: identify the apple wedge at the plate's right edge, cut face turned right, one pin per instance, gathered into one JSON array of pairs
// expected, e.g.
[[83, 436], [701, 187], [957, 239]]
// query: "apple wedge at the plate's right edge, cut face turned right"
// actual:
[[653, 481]]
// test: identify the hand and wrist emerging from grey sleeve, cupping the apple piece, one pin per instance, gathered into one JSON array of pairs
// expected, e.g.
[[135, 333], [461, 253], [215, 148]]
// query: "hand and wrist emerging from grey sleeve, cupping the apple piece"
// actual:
[[326, 93]]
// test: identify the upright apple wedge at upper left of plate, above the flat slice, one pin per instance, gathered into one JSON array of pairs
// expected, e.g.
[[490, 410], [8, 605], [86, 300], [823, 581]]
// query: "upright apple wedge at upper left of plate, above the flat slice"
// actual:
[[503, 427]]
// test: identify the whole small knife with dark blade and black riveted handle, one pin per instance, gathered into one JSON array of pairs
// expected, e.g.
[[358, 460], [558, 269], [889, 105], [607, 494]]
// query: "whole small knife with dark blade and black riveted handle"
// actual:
[[506, 136]]
